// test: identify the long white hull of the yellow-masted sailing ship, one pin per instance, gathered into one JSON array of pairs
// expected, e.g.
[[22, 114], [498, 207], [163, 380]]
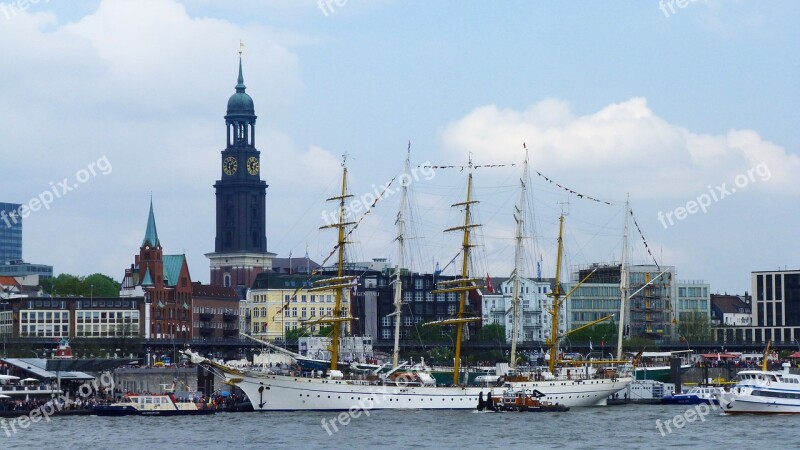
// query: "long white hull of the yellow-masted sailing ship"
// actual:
[[286, 393]]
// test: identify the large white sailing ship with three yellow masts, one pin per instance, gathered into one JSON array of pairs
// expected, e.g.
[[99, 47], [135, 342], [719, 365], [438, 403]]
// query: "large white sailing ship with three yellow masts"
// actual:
[[404, 387]]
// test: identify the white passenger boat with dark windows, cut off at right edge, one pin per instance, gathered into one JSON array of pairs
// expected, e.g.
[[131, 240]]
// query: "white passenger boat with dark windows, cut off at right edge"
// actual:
[[763, 392]]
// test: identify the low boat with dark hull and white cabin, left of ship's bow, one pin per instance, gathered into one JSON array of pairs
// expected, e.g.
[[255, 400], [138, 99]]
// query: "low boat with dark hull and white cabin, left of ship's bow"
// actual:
[[152, 405]]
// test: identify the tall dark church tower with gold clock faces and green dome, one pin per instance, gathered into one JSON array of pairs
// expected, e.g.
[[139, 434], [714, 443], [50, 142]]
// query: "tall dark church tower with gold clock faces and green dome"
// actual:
[[240, 246]]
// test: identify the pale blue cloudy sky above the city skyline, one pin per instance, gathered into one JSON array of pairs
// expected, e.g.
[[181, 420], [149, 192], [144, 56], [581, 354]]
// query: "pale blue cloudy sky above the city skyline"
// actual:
[[688, 111]]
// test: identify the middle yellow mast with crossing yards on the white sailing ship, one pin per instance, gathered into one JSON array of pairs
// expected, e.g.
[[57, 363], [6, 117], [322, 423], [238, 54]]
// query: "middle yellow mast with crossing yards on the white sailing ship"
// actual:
[[463, 285]]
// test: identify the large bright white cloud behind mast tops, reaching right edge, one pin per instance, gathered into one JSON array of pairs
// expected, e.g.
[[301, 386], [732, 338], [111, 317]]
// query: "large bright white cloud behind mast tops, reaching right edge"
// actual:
[[627, 142]]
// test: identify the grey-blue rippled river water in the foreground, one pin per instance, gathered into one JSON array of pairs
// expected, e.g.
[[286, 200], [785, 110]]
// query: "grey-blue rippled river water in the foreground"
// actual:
[[629, 426]]
